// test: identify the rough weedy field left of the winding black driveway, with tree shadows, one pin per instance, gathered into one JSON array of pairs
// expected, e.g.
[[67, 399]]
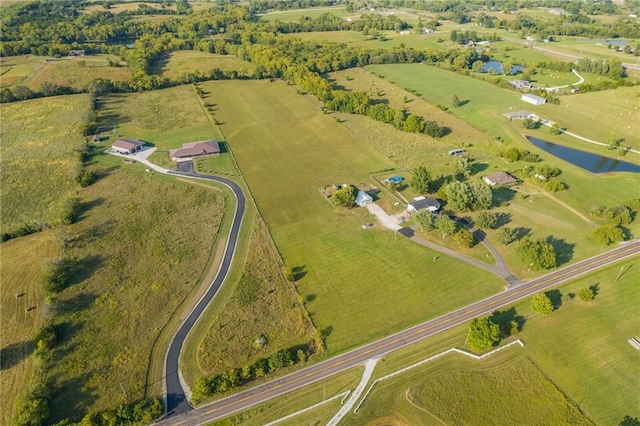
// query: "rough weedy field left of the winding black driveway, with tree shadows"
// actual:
[[142, 246]]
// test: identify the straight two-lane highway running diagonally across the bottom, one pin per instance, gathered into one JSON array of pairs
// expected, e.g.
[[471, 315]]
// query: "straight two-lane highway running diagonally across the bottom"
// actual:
[[259, 394]]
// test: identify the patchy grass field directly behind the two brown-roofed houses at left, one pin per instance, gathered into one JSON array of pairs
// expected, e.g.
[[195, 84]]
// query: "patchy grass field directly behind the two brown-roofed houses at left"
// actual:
[[164, 118]]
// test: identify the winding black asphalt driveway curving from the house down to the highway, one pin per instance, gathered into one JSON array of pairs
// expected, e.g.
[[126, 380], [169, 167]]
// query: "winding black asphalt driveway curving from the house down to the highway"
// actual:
[[177, 402]]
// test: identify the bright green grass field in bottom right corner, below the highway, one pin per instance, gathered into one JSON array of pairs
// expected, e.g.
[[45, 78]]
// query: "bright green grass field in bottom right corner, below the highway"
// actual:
[[583, 346]]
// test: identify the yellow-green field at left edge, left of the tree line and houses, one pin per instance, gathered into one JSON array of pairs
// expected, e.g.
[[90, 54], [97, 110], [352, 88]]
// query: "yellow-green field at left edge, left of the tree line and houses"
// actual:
[[39, 162]]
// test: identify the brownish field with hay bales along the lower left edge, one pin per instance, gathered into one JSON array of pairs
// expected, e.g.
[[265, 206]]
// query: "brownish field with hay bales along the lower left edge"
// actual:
[[23, 313]]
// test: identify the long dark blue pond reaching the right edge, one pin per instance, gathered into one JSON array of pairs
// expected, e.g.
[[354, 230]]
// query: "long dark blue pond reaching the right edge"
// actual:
[[592, 162]]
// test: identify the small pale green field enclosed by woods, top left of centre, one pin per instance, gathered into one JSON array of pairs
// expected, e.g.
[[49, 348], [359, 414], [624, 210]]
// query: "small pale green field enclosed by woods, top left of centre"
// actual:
[[181, 62]]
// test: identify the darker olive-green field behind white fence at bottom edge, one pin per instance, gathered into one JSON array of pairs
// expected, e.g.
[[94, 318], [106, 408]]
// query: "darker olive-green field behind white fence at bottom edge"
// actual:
[[504, 389]]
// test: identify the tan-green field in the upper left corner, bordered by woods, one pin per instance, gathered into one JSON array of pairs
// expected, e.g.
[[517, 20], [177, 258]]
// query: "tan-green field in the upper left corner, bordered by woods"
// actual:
[[78, 72]]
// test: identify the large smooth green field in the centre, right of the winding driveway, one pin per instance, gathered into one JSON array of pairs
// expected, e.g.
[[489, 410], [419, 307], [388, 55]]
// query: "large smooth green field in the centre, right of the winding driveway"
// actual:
[[358, 284]]
